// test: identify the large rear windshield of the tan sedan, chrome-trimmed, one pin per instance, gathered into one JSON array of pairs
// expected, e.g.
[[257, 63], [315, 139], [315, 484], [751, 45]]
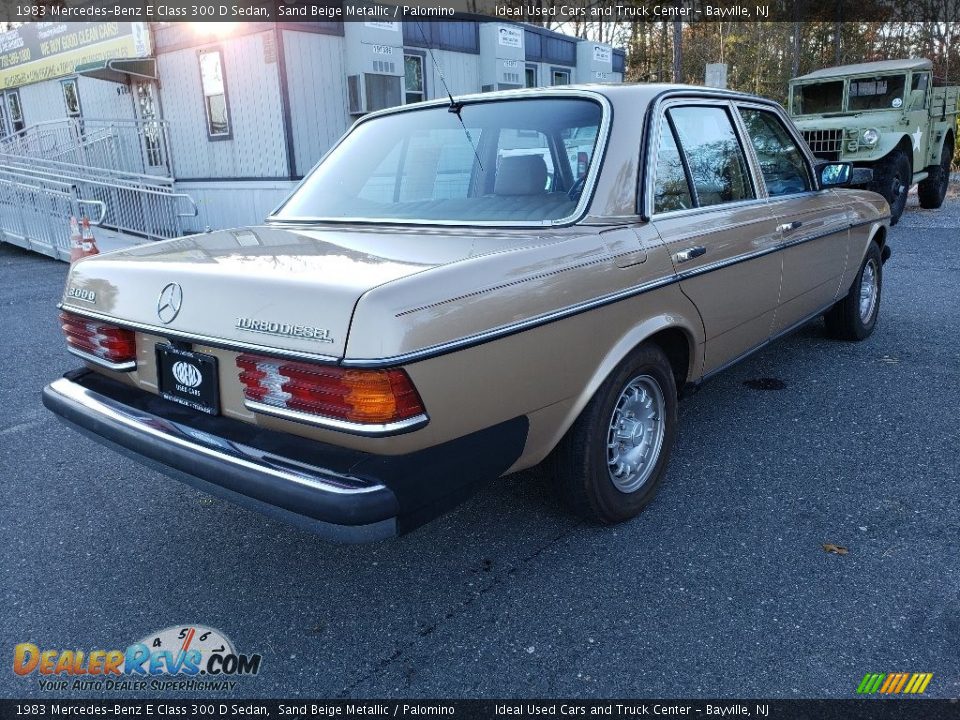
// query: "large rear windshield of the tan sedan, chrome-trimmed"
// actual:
[[513, 161]]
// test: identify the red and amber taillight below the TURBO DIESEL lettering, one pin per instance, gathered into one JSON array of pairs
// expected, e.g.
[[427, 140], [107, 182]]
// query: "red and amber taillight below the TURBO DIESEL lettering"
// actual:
[[368, 397]]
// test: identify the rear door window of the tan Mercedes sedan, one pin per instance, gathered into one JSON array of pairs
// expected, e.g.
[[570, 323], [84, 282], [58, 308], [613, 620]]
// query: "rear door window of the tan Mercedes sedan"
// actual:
[[713, 154]]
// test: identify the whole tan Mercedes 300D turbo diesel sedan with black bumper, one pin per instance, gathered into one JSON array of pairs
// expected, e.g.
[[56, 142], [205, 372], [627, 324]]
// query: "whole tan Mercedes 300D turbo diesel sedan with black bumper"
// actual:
[[464, 289]]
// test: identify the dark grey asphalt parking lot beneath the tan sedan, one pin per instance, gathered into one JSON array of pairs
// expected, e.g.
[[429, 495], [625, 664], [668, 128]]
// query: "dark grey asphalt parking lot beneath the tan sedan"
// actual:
[[721, 589]]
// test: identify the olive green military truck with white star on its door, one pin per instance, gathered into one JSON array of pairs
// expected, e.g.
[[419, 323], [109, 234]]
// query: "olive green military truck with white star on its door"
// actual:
[[887, 116]]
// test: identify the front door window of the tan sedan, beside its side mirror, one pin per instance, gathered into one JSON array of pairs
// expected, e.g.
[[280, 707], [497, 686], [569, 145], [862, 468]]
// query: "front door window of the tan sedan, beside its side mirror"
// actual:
[[781, 162]]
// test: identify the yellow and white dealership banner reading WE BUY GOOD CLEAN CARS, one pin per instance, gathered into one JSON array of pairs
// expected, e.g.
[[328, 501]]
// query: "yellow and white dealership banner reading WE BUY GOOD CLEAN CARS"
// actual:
[[44, 50]]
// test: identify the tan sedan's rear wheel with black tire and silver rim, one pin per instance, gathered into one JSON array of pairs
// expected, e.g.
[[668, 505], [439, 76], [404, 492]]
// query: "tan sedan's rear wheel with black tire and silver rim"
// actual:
[[592, 483]]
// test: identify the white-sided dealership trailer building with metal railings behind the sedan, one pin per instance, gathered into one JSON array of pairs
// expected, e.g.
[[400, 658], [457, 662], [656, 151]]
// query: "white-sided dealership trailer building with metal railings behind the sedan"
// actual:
[[161, 129]]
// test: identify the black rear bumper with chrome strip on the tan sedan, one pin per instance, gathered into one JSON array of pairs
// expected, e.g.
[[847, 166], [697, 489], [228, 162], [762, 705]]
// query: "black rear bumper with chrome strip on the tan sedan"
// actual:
[[344, 495]]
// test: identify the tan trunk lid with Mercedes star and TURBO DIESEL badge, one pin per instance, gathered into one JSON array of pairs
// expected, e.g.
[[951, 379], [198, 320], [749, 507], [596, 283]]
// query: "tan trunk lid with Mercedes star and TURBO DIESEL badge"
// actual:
[[291, 289]]
